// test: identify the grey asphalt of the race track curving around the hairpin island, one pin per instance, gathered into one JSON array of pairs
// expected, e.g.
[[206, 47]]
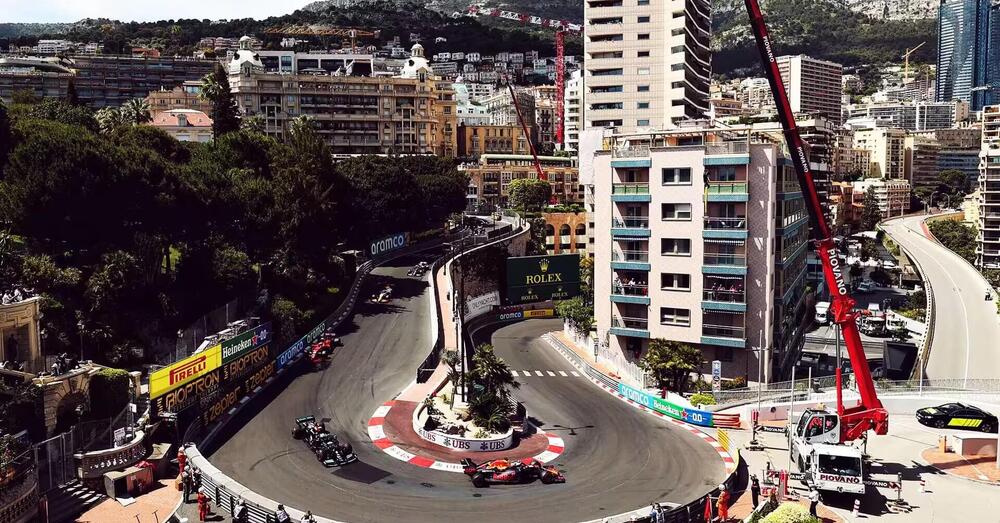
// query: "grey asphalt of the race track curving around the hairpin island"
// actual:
[[616, 458]]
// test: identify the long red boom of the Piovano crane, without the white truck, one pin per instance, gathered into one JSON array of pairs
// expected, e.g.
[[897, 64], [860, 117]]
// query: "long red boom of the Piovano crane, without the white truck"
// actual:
[[869, 413]]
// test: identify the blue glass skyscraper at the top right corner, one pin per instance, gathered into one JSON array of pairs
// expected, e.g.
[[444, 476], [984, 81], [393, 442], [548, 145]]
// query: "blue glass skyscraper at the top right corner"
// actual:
[[968, 66]]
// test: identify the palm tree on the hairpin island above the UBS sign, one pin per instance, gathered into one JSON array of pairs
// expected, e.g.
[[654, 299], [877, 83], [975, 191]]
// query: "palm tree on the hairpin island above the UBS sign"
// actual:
[[490, 401]]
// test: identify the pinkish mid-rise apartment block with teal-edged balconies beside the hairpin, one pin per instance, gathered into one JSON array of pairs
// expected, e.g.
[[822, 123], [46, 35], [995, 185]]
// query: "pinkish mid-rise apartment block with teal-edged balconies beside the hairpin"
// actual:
[[700, 237]]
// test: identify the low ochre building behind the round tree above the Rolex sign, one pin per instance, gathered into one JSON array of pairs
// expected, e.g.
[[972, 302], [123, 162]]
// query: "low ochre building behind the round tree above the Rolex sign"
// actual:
[[490, 177]]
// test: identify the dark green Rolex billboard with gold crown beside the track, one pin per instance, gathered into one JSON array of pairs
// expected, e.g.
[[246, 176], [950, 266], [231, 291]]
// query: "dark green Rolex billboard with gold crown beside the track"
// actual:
[[539, 278]]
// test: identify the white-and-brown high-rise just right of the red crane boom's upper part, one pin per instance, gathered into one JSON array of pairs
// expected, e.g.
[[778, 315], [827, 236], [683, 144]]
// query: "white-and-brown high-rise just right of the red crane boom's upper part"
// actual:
[[813, 86]]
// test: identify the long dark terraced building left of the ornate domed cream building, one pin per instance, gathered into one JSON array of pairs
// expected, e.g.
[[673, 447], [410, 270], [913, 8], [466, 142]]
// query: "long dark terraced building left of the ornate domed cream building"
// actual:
[[110, 81]]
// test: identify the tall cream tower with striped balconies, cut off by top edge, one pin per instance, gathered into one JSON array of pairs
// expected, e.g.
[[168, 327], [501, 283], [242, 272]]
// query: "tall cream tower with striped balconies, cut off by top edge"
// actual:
[[647, 63]]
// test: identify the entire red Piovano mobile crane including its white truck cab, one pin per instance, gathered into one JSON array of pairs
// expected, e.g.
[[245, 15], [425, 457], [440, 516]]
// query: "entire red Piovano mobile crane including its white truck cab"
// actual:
[[820, 435]]
